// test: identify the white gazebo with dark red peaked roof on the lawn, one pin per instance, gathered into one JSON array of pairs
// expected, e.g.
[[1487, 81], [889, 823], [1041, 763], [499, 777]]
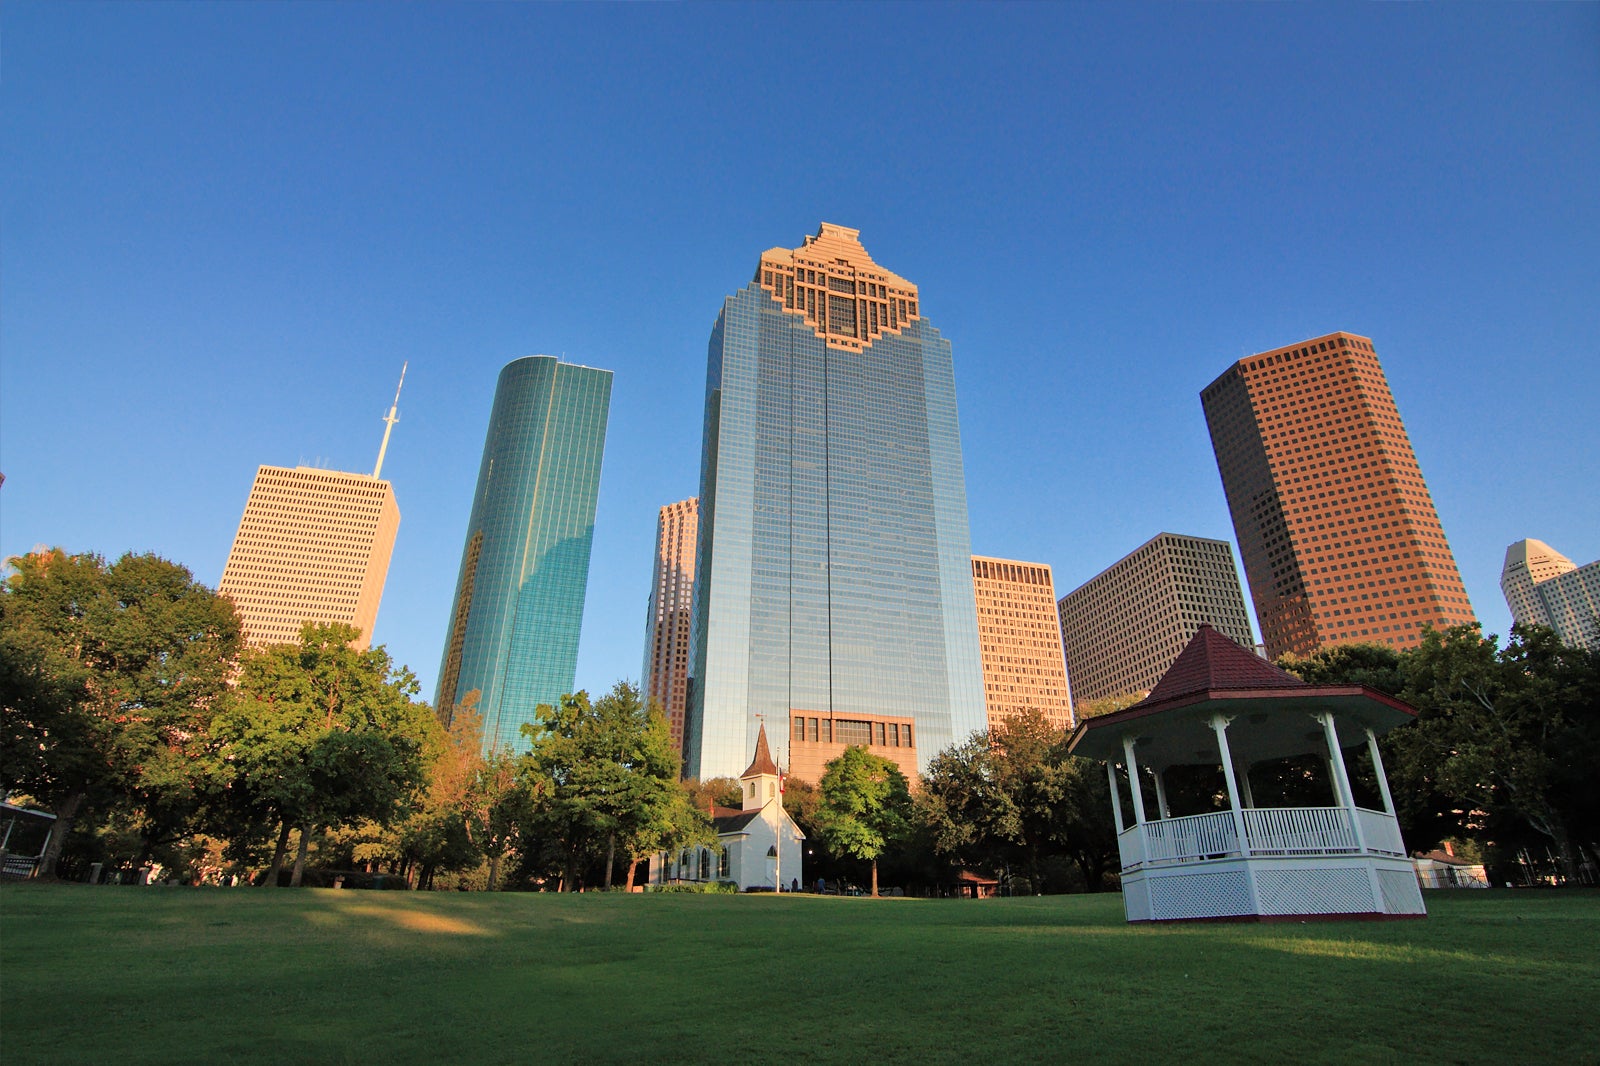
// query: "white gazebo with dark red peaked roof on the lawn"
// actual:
[[1223, 707]]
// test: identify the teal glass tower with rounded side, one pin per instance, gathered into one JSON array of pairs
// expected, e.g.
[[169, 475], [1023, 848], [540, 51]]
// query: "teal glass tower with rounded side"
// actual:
[[519, 603]]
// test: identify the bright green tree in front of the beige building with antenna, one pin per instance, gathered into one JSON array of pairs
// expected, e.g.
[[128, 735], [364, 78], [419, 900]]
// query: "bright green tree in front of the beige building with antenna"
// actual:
[[321, 735]]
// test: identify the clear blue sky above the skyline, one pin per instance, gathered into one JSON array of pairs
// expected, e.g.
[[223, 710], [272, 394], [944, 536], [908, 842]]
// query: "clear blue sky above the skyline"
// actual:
[[223, 228]]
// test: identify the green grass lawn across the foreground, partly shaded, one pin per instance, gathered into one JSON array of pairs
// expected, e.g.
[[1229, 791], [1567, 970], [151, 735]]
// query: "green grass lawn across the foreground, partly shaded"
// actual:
[[166, 976]]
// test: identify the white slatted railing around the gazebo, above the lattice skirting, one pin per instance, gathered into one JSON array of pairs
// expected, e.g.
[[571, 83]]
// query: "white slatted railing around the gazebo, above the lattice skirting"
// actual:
[[1270, 832]]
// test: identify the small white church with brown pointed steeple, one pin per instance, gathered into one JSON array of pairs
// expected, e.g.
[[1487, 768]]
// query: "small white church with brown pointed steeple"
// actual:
[[761, 843]]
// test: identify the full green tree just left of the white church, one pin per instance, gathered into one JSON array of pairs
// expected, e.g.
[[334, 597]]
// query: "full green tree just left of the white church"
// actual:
[[610, 782]]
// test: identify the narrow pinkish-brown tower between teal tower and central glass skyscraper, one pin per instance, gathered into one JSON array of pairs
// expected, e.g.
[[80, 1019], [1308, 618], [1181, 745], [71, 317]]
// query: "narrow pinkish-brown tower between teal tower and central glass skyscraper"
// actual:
[[666, 673]]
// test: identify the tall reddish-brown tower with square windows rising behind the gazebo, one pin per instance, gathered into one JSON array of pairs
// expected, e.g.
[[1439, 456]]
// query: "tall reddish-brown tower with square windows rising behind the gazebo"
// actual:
[[1335, 524]]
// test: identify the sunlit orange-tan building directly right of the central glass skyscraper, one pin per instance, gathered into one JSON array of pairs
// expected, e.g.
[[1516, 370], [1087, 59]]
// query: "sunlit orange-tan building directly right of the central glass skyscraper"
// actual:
[[1020, 636]]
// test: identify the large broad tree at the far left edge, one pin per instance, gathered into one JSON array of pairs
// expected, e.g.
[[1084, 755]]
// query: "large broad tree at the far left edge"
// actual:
[[108, 678]]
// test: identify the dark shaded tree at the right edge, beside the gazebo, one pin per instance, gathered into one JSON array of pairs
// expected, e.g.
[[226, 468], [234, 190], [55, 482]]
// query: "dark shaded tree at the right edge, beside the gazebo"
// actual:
[[1513, 732]]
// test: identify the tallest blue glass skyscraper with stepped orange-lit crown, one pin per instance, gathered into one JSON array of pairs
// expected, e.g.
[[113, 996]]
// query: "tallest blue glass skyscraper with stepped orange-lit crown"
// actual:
[[834, 572]]
